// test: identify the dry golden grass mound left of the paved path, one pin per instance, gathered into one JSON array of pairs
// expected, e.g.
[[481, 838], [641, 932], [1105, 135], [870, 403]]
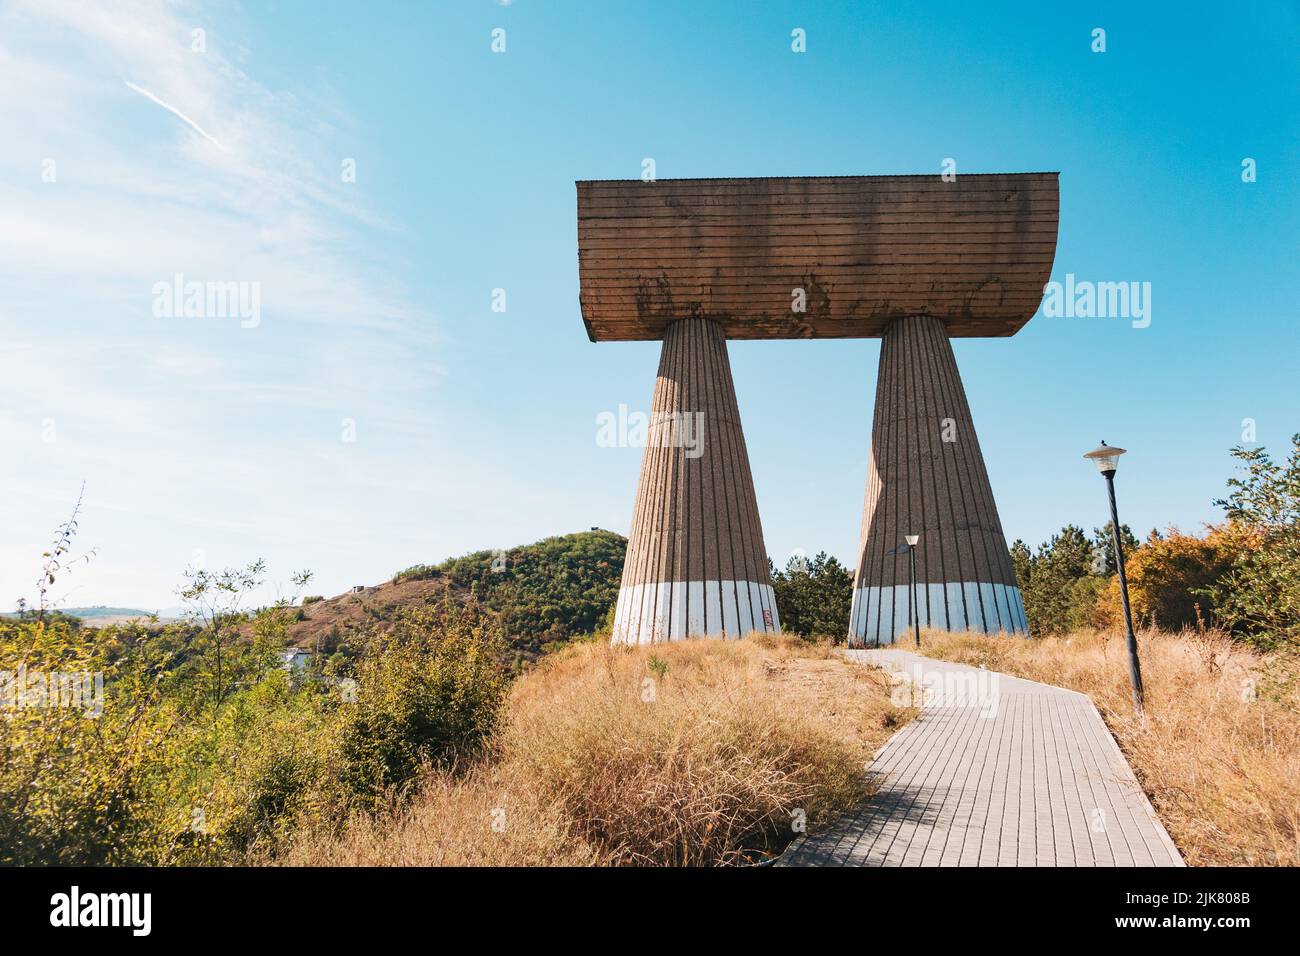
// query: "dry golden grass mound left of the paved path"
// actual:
[[687, 754]]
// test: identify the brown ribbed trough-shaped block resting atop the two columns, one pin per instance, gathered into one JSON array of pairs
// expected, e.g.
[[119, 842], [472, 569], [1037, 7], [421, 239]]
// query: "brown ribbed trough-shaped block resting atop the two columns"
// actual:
[[865, 249]]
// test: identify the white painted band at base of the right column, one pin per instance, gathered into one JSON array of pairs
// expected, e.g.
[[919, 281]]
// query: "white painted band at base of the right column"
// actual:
[[881, 616]]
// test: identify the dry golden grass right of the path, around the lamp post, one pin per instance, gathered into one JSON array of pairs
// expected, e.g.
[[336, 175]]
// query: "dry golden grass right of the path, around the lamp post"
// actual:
[[1220, 756]]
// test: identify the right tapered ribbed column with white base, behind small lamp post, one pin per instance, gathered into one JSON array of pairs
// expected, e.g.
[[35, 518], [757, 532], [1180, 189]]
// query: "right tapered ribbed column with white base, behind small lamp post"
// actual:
[[928, 478]]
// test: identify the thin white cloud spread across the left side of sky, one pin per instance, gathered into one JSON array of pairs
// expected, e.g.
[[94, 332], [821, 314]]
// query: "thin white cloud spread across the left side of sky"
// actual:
[[239, 422]]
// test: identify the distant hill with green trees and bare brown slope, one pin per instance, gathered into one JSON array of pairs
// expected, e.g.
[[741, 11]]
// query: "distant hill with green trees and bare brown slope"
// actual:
[[547, 592]]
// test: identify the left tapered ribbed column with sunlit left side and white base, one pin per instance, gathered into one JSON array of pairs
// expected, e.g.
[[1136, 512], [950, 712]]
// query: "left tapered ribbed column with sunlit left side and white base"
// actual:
[[696, 563]]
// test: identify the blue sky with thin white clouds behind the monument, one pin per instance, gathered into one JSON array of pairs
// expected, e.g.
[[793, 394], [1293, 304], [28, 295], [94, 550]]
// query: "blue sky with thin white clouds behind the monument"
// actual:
[[203, 440]]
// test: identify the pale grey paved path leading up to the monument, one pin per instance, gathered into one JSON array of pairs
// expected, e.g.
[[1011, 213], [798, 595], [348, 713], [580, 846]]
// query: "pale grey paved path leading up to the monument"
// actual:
[[995, 772]]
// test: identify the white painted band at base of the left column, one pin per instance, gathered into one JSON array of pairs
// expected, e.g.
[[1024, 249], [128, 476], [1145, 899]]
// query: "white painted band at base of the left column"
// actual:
[[675, 611]]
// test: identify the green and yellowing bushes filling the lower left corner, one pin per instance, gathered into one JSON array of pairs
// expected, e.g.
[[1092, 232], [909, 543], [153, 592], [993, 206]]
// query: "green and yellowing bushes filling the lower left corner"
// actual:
[[174, 773]]
